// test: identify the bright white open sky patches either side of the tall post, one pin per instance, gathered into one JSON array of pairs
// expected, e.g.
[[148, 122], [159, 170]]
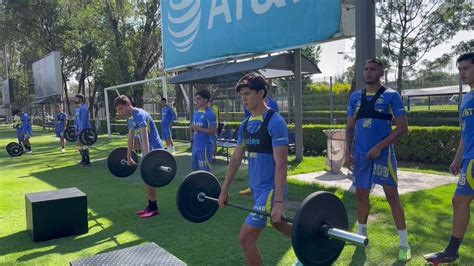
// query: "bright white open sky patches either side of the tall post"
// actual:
[[333, 64]]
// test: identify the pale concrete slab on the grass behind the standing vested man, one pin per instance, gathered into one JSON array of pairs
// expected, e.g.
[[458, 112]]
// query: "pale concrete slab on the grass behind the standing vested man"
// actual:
[[408, 181]]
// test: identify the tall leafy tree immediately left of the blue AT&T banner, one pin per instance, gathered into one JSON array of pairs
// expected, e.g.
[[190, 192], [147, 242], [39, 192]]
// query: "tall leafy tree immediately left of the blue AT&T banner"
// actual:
[[136, 45]]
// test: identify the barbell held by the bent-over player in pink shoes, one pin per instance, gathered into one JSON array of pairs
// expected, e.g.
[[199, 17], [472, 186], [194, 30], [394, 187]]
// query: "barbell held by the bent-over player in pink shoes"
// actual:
[[158, 167]]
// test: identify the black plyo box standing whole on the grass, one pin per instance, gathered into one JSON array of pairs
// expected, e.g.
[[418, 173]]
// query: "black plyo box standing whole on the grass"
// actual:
[[57, 213]]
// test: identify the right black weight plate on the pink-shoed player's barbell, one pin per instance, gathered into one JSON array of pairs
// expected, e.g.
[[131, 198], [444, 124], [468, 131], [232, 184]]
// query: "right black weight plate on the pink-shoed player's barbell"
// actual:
[[150, 168]]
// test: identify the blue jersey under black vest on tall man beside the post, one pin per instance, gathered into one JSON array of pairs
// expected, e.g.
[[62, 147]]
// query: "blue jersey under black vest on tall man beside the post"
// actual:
[[370, 131]]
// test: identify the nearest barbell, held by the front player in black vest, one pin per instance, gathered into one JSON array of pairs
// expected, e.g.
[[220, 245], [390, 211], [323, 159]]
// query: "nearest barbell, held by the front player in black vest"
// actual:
[[319, 226]]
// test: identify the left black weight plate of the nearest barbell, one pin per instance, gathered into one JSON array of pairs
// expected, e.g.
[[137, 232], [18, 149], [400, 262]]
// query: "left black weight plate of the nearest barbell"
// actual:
[[190, 207]]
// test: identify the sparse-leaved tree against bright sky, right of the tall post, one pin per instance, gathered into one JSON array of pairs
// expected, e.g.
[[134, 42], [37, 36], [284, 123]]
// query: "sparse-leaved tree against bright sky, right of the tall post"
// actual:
[[411, 28]]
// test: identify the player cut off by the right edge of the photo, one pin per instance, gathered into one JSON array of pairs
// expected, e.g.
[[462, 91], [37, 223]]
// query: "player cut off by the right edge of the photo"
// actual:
[[462, 163]]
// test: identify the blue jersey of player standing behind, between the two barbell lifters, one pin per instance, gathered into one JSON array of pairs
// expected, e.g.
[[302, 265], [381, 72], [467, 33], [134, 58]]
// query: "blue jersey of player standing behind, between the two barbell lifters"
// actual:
[[205, 119]]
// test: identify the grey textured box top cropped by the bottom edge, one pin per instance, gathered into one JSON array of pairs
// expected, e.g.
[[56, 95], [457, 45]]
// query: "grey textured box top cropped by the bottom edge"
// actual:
[[148, 254]]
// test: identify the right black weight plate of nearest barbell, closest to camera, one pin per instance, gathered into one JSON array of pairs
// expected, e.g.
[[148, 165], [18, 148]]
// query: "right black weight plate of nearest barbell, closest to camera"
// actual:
[[310, 246]]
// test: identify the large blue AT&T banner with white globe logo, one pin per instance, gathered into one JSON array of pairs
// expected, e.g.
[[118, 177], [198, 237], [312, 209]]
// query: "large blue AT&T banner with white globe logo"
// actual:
[[201, 31]]
